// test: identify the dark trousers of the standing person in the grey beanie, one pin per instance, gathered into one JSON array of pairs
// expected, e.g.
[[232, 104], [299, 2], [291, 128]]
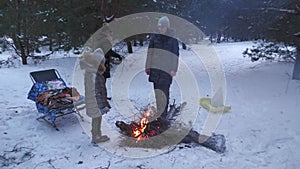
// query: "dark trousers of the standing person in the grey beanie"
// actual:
[[162, 93]]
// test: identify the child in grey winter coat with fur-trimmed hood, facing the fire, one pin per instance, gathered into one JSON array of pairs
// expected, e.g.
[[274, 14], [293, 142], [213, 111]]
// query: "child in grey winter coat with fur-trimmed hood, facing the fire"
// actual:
[[95, 91]]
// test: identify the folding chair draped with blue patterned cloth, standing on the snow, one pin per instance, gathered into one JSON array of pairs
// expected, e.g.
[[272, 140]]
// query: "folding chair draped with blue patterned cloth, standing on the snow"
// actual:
[[48, 81]]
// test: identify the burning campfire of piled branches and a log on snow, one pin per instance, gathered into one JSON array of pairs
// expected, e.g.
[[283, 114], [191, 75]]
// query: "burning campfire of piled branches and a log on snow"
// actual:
[[156, 132]]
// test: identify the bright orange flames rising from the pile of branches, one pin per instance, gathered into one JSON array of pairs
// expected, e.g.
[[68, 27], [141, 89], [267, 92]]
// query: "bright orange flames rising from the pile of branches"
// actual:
[[142, 125]]
